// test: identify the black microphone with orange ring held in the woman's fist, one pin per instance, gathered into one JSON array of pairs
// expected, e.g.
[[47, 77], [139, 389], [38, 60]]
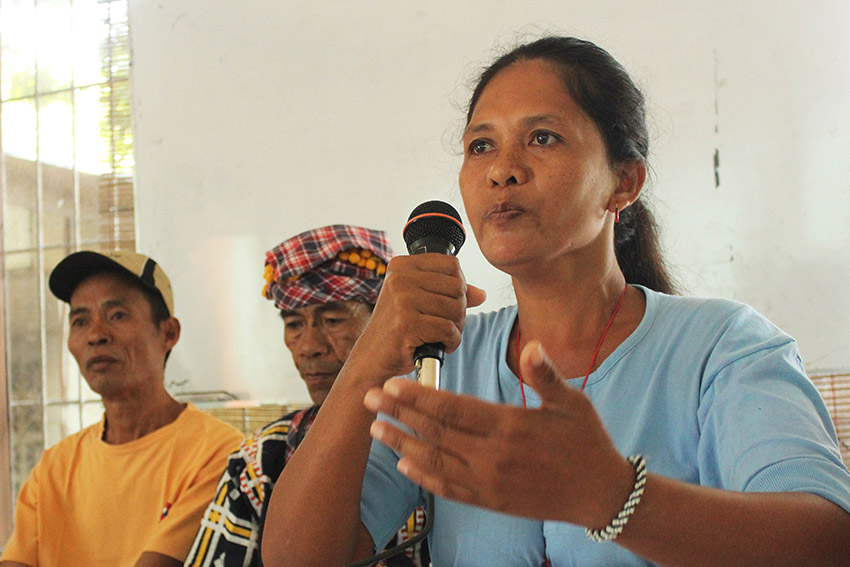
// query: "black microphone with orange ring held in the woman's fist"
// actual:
[[433, 226]]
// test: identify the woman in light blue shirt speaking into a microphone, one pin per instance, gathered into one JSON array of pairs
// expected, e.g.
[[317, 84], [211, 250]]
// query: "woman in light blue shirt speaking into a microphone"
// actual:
[[601, 420]]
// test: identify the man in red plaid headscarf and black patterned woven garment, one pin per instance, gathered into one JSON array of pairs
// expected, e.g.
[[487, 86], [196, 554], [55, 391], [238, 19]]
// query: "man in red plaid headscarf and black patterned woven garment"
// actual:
[[325, 283]]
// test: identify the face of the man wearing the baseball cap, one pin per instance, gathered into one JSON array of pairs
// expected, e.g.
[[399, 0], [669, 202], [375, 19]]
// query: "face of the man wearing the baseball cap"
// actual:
[[120, 350]]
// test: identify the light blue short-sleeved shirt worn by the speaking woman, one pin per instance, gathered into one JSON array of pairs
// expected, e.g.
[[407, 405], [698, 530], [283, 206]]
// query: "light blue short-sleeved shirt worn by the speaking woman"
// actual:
[[708, 390]]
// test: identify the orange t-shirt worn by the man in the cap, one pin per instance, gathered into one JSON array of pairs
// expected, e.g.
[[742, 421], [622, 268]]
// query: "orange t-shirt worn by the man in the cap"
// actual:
[[90, 503]]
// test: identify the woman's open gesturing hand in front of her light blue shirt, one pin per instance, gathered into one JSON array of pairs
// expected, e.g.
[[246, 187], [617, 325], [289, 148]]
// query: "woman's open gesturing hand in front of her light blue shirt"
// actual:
[[556, 462]]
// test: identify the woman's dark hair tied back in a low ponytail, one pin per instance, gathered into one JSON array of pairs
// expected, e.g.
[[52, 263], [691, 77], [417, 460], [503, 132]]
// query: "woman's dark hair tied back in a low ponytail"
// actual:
[[606, 92]]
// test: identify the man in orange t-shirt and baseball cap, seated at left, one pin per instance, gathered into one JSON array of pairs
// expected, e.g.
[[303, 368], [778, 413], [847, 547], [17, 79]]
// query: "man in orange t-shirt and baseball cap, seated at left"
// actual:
[[129, 490]]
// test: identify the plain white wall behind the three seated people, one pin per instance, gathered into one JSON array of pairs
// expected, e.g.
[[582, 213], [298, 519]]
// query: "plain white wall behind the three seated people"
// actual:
[[256, 120]]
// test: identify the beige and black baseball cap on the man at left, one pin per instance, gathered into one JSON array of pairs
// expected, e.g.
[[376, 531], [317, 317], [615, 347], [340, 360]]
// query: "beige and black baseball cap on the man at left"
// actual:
[[68, 273]]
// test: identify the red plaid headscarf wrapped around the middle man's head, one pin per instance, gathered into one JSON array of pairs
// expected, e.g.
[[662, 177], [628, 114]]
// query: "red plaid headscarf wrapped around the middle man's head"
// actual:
[[308, 272]]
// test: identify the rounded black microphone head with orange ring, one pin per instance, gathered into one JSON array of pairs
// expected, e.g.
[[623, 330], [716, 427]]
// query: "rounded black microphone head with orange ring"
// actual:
[[434, 226]]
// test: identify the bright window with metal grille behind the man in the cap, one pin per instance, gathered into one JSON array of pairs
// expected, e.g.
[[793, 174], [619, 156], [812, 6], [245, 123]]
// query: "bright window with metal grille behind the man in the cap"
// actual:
[[66, 173]]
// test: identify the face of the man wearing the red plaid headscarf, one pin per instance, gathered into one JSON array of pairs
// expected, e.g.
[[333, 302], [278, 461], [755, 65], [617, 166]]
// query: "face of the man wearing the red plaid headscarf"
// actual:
[[320, 338]]
